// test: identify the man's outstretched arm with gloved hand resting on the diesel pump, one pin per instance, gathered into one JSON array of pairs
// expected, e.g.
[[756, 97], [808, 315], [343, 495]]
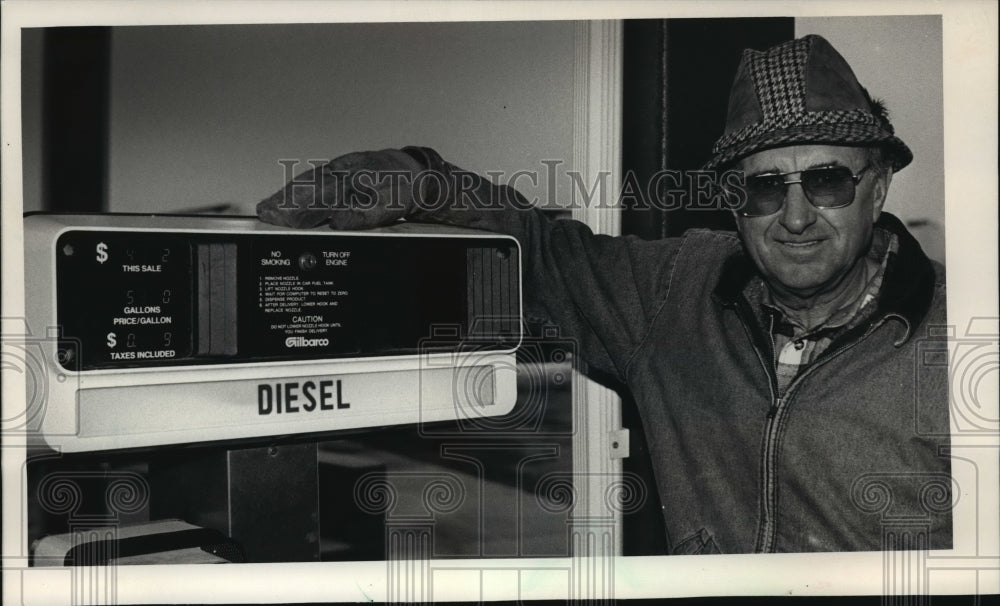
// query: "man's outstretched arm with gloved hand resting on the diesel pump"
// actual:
[[581, 282]]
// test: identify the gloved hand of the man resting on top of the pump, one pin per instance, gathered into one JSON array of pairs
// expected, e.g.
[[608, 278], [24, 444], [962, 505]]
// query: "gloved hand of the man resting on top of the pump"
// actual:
[[355, 191]]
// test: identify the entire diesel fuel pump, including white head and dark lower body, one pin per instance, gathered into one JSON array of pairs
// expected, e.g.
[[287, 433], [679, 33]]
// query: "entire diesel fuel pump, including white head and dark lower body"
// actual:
[[189, 364]]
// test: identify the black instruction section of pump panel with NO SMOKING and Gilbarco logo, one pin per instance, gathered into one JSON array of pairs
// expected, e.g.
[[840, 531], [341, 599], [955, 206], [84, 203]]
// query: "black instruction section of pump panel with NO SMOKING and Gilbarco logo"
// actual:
[[343, 296]]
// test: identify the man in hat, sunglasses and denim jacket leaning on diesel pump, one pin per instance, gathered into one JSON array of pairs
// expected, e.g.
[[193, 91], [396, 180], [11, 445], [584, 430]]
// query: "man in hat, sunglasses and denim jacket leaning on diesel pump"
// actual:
[[777, 370]]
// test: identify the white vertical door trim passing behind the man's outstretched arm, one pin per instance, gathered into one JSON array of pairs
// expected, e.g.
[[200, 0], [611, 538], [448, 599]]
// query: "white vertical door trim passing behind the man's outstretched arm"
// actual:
[[596, 525]]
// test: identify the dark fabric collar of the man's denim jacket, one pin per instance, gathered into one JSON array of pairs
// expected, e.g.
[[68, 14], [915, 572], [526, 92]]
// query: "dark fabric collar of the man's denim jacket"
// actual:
[[907, 288]]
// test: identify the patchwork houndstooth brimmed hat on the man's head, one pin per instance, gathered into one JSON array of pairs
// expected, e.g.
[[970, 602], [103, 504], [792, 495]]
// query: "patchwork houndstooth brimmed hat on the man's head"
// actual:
[[798, 93]]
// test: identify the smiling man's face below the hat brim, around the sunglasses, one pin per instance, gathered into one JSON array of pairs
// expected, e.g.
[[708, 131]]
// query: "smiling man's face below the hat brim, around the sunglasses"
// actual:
[[806, 251]]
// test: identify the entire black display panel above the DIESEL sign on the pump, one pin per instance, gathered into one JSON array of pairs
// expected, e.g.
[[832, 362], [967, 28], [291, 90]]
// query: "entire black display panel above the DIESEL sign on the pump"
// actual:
[[163, 299]]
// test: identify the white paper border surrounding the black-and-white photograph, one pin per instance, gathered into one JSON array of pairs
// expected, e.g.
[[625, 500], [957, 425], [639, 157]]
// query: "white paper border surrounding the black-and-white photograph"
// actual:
[[970, 102]]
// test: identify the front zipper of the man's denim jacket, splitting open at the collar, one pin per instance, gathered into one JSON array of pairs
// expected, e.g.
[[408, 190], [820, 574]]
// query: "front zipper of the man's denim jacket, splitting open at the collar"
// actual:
[[767, 527]]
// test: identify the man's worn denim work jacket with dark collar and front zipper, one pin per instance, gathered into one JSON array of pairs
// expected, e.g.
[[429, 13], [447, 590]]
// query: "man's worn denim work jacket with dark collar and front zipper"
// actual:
[[853, 457]]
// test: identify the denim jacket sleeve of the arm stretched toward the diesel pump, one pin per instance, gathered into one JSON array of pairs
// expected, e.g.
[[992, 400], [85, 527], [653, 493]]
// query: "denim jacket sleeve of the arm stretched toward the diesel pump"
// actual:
[[600, 291]]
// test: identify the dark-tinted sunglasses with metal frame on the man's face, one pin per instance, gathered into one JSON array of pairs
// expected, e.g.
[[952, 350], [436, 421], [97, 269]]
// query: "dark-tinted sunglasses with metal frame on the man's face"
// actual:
[[829, 187]]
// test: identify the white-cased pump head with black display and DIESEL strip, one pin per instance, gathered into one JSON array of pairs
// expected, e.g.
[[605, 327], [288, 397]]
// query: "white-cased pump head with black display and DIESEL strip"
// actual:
[[169, 329]]
